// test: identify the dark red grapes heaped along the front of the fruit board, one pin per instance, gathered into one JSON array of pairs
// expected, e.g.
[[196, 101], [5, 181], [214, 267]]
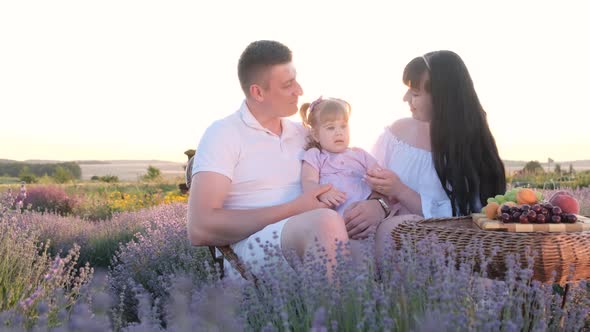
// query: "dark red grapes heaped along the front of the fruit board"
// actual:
[[539, 213]]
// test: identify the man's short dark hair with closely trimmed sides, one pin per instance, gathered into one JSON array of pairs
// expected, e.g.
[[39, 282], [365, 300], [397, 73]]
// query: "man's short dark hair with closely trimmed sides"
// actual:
[[257, 58]]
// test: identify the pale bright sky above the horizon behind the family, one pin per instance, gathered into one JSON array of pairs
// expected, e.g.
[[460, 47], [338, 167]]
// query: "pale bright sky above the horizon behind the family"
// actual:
[[143, 79]]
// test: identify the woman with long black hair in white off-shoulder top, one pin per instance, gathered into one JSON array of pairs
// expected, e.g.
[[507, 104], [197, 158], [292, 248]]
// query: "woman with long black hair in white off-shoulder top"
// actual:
[[443, 161]]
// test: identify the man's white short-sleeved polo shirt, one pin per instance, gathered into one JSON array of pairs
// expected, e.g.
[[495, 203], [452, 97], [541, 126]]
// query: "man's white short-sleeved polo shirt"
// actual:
[[264, 168]]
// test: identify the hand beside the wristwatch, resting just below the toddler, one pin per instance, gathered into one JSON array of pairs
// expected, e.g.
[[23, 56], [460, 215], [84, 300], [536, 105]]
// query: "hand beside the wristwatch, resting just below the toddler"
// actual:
[[362, 218]]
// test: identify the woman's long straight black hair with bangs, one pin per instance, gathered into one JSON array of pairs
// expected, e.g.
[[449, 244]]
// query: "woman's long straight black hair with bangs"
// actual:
[[464, 151]]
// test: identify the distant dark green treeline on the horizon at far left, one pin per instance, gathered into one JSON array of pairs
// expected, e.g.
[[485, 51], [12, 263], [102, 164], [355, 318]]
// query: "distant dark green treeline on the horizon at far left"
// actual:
[[18, 169]]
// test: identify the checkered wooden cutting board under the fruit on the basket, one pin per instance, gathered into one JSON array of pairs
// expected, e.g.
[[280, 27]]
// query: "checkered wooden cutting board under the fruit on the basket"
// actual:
[[480, 219]]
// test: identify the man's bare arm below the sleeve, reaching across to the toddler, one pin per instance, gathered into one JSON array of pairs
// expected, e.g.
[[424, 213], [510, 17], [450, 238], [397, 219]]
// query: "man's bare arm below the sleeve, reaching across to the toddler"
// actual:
[[210, 224]]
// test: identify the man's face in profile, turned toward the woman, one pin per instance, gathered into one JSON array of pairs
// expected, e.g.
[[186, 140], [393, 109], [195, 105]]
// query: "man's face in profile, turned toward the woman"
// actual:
[[283, 90]]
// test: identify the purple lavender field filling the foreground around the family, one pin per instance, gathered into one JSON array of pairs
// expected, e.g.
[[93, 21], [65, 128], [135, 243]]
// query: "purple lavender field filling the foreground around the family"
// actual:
[[157, 281]]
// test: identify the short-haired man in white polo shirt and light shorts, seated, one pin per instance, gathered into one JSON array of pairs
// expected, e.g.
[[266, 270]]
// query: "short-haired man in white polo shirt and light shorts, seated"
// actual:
[[246, 182]]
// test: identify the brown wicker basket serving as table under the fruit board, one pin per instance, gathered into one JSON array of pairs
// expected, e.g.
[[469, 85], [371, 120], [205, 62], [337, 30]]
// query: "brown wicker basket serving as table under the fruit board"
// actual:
[[554, 251]]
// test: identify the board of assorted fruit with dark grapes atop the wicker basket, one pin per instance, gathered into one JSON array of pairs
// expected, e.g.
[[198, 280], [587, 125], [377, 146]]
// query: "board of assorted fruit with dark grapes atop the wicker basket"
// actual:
[[525, 210]]
